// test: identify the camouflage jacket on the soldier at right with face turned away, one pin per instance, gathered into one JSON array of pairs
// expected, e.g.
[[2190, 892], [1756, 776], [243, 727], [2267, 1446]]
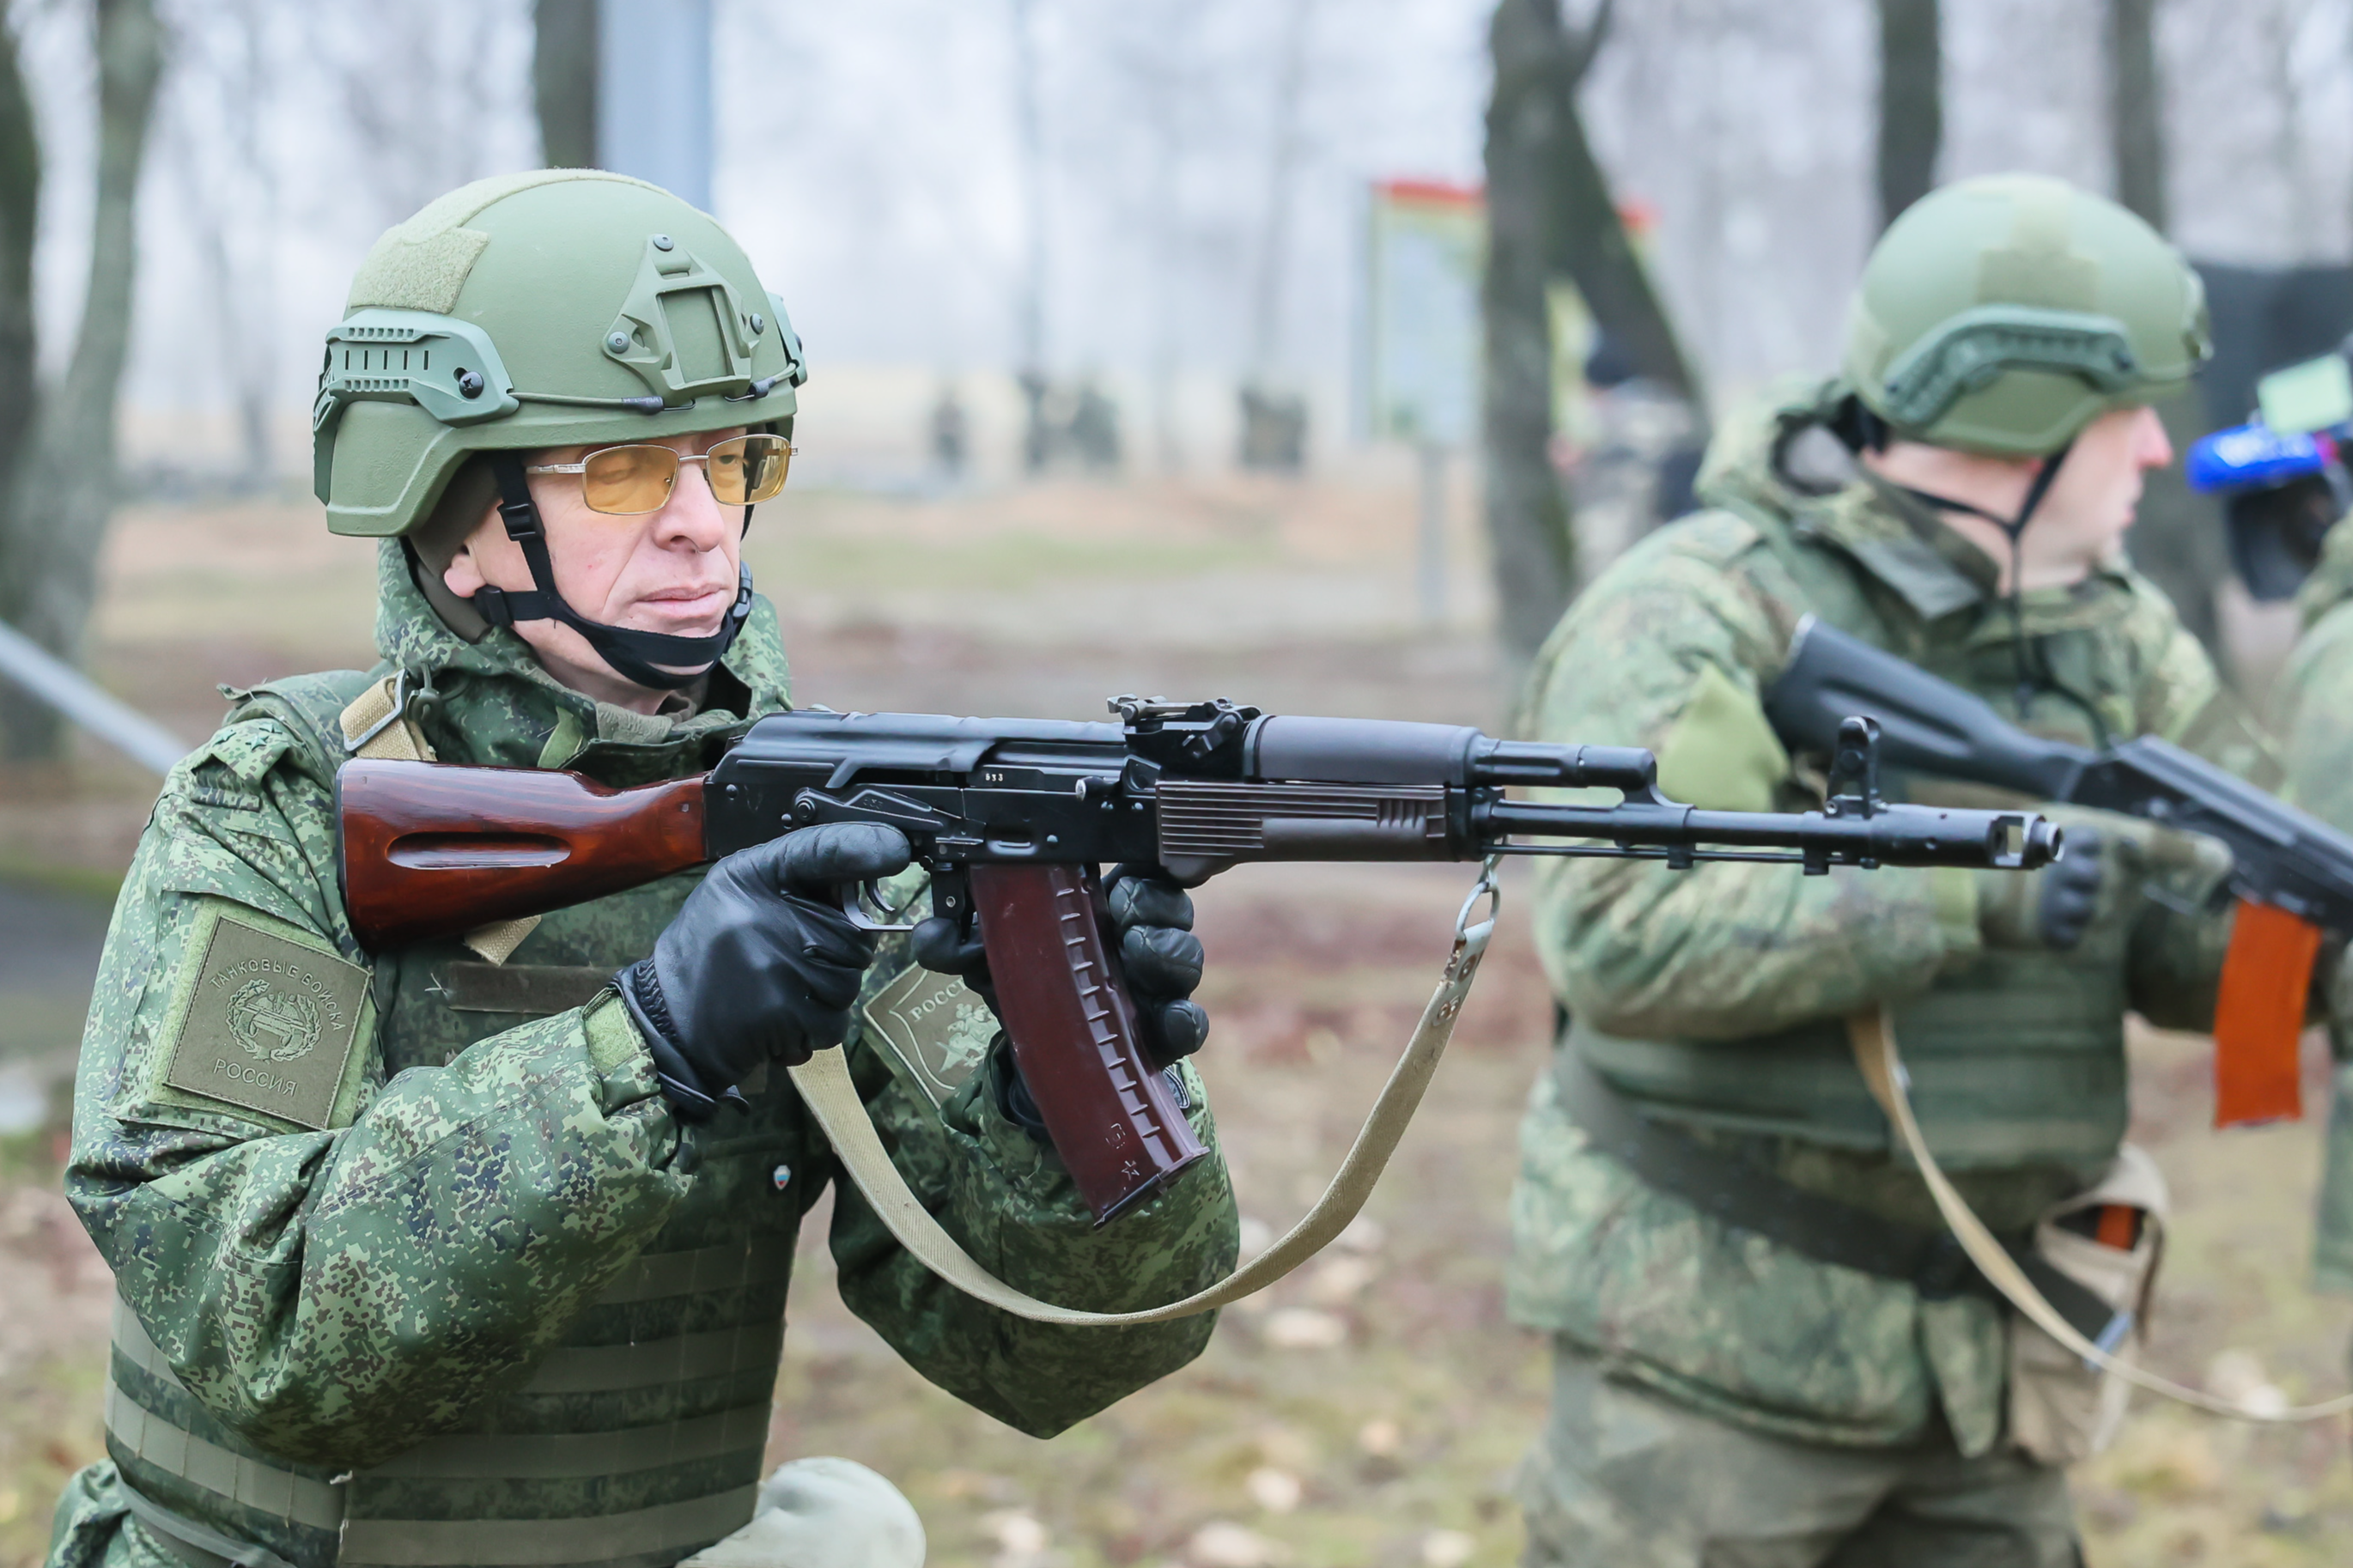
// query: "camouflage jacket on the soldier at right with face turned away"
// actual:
[[1714, 997]]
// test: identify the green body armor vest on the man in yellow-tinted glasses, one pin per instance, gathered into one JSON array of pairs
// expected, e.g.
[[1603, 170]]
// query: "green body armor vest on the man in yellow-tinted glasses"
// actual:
[[632, 1444]]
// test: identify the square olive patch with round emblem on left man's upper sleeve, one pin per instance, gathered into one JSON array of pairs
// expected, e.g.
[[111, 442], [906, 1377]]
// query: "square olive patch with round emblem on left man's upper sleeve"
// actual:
[[269, 1025]]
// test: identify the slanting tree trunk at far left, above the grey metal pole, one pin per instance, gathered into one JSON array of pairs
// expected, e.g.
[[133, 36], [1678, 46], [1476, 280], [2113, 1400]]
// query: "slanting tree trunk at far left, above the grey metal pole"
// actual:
[[62, 491]]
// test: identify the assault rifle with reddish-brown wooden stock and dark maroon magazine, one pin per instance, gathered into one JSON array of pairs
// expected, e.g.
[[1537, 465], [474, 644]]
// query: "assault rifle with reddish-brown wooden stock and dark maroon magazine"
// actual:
[[1013, 818]]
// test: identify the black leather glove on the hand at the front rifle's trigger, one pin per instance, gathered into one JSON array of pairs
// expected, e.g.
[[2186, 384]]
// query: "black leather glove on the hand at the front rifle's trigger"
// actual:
[[761, 962]]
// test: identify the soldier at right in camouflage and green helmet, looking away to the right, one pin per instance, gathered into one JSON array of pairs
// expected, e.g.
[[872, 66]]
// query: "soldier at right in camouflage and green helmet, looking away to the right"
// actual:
[[1731, 1395]]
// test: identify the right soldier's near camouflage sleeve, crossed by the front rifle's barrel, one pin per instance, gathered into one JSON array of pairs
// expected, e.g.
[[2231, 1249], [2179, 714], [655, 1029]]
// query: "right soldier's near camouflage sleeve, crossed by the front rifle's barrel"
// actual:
[[1669, 651]]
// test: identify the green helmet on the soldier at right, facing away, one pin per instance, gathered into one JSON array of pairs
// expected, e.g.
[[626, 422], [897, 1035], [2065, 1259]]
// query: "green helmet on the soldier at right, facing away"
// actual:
[[2006, 314]]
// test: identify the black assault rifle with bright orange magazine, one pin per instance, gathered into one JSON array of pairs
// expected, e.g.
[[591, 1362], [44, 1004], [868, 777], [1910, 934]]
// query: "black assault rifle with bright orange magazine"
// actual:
[[2291, 872]]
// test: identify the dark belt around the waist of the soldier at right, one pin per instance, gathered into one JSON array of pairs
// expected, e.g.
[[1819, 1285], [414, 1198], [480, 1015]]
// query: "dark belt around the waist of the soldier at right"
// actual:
[[1754, 1200]]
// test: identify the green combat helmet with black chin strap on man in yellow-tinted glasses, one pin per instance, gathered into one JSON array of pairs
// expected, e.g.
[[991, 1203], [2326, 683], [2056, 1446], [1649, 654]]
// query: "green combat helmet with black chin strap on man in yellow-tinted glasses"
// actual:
[[547, 310]]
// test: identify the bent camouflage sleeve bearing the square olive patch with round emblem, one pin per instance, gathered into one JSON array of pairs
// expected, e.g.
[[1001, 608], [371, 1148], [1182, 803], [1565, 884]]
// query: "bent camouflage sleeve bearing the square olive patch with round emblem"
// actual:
[[335, 1265]]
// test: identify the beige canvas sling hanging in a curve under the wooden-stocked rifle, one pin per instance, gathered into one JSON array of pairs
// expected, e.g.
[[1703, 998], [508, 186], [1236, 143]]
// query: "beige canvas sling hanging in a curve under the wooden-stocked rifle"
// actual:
[[829, 1094]]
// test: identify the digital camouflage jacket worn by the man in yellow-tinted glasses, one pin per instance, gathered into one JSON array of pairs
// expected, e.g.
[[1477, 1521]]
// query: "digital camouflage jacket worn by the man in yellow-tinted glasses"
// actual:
[[418, 1268]]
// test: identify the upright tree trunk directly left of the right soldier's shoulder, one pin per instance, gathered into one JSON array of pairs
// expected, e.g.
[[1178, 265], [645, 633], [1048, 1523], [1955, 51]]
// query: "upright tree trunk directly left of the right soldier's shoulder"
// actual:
[[1528, 517]]
